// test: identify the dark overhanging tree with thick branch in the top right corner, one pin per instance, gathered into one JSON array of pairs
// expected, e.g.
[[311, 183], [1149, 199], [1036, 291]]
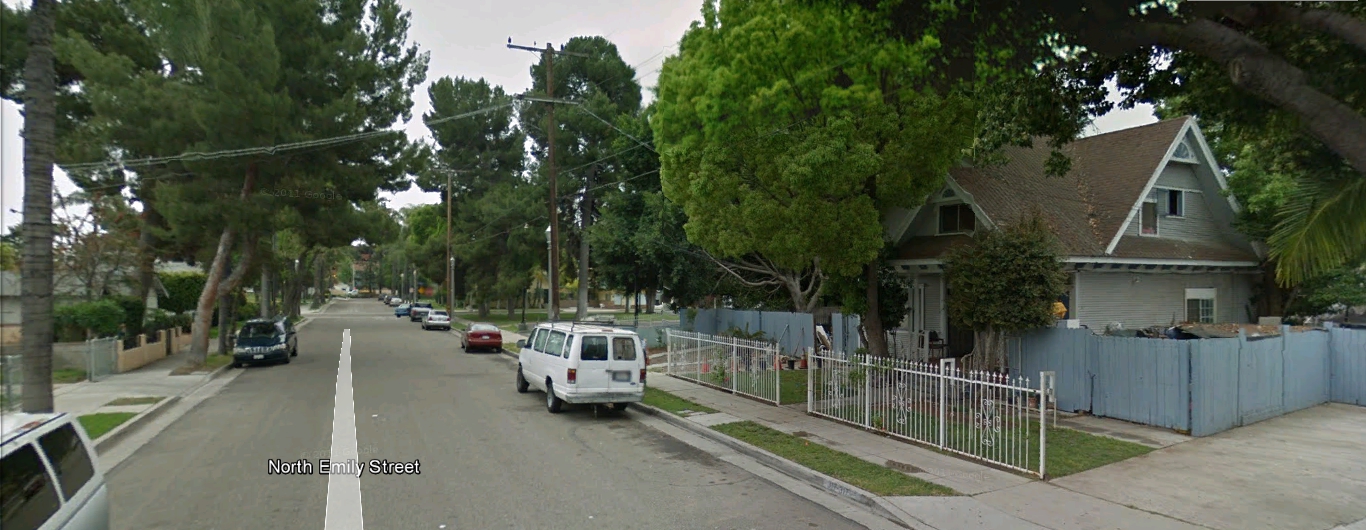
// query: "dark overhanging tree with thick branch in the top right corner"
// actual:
[[1290, 73]]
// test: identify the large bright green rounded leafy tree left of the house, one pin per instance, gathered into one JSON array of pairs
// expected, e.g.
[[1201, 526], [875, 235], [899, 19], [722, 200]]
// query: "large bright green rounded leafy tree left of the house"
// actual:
[[787, 132]]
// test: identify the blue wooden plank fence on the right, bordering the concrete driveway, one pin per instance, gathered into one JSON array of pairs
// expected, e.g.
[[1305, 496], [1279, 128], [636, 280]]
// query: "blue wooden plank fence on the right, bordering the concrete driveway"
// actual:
[[1203, 387]]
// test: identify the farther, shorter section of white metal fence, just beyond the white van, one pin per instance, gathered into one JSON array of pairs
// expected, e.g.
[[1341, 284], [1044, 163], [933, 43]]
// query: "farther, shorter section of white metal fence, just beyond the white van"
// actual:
[[736, 365]]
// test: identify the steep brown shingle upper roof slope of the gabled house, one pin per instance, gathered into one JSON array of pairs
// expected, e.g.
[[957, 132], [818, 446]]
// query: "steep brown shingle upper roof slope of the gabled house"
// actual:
[[1089, 204]]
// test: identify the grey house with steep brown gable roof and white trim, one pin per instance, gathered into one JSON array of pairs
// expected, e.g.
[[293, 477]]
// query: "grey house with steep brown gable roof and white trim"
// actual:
[[1144, 219]]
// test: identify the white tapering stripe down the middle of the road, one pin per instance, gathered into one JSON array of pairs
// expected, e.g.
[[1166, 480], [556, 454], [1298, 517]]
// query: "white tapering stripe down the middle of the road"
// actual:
[[345, 490]]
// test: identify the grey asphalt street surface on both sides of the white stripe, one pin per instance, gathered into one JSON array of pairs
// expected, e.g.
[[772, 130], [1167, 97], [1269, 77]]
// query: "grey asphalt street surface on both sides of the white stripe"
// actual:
[[491, 458]]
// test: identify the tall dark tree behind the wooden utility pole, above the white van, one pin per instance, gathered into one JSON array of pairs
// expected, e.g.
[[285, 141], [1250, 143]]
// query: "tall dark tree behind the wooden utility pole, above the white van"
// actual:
[[604, 88]]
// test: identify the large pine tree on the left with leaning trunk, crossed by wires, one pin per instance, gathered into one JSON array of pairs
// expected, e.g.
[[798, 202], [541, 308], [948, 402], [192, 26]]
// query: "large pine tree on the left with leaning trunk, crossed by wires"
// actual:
[[248, 80]]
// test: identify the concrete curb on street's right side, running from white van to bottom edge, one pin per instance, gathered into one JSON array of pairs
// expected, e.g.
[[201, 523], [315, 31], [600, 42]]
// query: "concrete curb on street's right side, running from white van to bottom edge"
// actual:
[[826, 483]]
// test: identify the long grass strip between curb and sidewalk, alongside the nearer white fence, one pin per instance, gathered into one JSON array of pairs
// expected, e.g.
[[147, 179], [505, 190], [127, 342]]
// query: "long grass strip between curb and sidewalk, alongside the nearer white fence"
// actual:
[[854, 471]]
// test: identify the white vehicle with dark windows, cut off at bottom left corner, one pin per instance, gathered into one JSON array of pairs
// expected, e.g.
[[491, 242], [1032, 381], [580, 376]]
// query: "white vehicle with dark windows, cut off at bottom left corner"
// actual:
[[50, 480]]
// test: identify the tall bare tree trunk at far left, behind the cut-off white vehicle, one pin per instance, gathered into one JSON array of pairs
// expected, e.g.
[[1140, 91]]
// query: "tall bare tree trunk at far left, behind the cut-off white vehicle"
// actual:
[[40, 137]]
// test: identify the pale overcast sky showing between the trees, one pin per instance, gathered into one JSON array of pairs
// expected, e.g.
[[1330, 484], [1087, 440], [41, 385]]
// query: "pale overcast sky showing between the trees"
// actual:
[[469, 39]]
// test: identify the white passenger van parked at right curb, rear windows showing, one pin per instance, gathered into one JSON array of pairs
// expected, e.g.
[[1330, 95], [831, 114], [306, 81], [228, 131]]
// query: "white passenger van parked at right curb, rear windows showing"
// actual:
[[583, 364]]
